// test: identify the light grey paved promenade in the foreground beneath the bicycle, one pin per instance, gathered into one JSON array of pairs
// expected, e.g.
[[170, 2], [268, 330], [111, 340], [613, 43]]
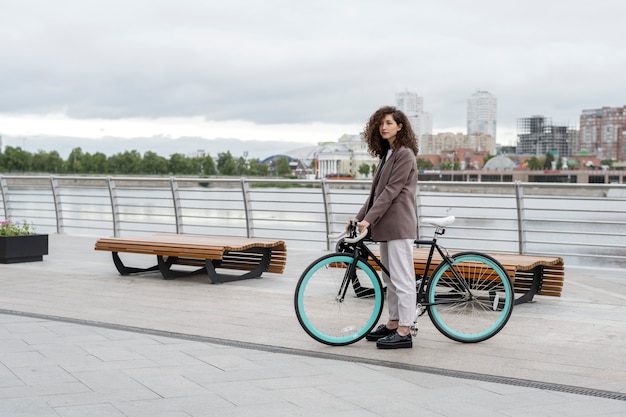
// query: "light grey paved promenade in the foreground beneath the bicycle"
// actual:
[[77, 339]]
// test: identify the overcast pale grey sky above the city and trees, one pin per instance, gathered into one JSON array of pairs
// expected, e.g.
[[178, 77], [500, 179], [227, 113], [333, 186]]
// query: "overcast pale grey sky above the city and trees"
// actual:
[[299, 71]]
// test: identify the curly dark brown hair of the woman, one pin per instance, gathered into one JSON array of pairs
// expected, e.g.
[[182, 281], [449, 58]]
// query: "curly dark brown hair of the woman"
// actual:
[[376, 144]]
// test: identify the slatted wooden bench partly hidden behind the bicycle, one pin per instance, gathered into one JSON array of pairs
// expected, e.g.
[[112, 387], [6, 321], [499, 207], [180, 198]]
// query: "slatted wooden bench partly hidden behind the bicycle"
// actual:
[[530, 274]]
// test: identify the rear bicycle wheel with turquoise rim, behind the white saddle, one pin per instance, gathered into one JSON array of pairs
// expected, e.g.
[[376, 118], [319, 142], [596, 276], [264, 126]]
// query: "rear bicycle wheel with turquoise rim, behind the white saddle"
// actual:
[[471, 299]]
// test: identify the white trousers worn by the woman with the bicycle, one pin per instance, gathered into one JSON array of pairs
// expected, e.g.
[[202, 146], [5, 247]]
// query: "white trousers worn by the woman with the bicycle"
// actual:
[[397, 256]]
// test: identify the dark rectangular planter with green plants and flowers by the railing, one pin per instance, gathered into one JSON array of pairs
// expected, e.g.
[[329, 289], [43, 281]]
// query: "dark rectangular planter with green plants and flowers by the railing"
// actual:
[[20, 243]]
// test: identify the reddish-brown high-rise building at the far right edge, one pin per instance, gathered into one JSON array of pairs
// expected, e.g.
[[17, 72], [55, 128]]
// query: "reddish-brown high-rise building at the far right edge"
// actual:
[[603, 132]]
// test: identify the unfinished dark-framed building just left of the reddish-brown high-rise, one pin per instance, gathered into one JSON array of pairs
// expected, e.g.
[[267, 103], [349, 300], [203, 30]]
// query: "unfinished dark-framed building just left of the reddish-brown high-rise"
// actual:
[[537, 136]]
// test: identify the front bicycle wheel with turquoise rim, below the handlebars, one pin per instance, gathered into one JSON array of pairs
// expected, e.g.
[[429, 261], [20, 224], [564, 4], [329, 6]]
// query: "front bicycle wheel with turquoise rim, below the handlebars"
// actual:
[[337, 300]]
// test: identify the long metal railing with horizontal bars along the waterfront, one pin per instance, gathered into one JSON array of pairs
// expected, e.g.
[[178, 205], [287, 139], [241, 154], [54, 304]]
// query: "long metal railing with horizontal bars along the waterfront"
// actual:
[[583, 223]]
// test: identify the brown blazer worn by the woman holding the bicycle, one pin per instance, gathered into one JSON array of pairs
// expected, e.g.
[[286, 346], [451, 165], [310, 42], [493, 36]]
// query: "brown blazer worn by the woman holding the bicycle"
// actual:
[[393, 214]]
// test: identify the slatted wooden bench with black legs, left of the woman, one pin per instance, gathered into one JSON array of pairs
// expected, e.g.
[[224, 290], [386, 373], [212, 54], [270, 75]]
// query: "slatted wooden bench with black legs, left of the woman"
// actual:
[[209, 252]]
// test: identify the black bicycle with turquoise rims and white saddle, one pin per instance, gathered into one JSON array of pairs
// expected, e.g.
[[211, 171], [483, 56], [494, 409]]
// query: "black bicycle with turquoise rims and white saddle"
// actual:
[[469, 296]]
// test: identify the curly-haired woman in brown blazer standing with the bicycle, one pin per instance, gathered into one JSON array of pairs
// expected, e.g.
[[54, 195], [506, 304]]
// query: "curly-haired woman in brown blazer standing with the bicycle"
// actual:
[[390, 213]]
